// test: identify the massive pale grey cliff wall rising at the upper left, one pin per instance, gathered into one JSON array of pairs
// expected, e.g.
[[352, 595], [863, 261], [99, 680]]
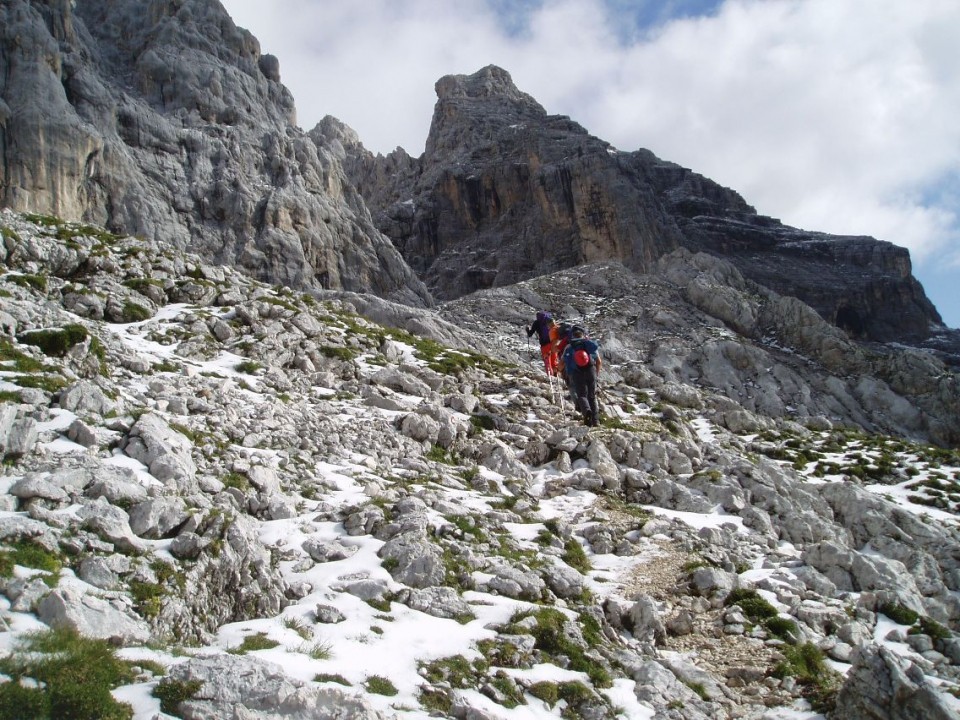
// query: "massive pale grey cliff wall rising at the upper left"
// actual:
[[162, 118]]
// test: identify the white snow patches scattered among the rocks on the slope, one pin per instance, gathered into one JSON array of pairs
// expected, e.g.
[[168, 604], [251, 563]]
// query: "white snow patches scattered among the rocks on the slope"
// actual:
[[392, 643]]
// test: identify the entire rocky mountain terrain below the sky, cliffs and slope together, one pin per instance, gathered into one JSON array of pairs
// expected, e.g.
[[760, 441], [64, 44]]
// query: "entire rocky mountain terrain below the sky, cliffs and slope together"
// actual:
[[276, 442]]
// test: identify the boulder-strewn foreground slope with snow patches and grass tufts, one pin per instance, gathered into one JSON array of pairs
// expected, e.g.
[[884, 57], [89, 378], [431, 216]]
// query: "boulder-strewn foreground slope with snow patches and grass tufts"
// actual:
[[275, 507]]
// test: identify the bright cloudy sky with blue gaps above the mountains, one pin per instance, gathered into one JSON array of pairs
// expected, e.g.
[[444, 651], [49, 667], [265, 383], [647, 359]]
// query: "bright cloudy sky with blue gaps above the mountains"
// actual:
[[835, 115]]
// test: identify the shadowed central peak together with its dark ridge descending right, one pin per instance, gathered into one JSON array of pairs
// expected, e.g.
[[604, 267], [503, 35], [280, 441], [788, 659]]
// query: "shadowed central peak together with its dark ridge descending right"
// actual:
[[505, 192]]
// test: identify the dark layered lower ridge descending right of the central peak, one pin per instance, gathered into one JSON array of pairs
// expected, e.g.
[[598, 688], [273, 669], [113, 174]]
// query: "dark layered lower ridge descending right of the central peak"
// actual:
[[862, 285]]
